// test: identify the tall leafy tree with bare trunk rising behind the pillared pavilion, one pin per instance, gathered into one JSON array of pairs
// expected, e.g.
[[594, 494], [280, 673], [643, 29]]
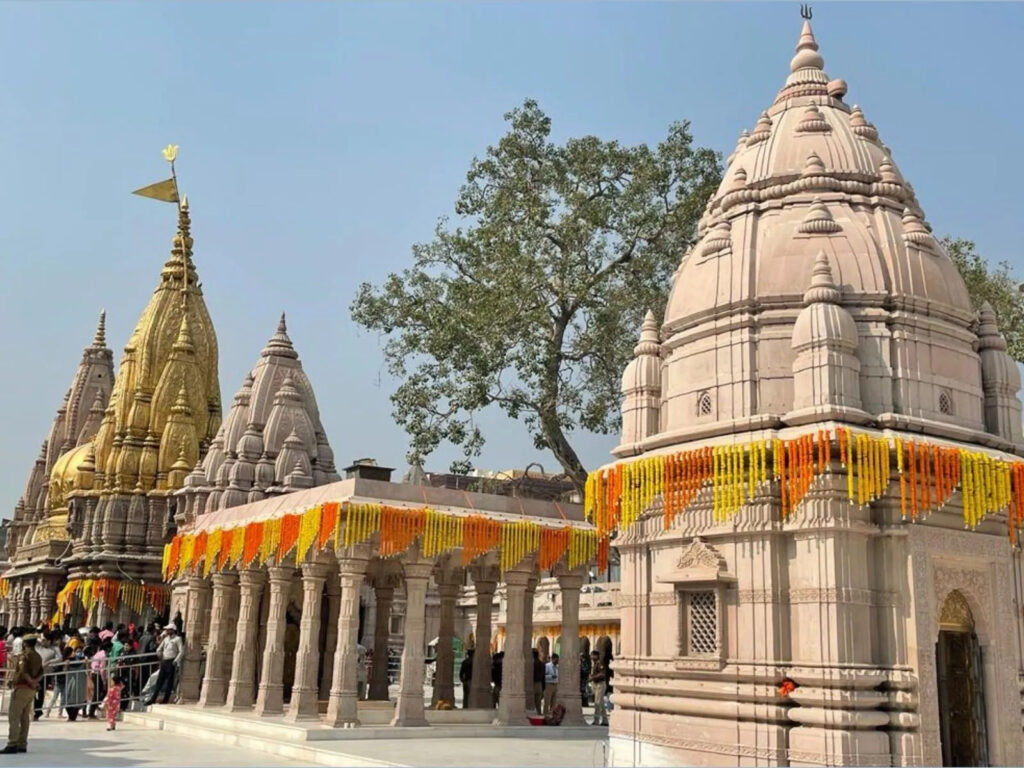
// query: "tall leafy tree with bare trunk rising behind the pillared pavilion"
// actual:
[[534, 302]]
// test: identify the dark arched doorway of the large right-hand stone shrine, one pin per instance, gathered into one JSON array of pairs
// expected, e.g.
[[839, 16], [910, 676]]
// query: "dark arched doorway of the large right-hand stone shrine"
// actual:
[[962, 696]]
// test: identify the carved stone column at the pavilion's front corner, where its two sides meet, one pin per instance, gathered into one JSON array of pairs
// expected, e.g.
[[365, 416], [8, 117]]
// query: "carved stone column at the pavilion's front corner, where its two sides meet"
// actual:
[[343, 709]]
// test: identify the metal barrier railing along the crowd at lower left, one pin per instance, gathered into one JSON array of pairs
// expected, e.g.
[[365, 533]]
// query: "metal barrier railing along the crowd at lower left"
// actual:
[[81, 685]]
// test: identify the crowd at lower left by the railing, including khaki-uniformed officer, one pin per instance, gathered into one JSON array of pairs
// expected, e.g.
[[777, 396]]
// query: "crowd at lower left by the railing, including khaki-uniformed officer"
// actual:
[[84, 672]]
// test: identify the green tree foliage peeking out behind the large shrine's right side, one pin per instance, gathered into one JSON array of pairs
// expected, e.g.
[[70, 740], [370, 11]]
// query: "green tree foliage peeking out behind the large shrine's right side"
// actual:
[[999, 286]]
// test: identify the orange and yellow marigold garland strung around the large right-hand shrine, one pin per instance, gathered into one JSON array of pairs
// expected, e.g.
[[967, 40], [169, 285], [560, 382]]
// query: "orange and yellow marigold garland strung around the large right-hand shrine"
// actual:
[[928, 478]]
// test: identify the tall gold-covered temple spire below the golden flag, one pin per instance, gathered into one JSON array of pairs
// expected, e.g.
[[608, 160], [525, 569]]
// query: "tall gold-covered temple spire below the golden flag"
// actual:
[[168, 374]]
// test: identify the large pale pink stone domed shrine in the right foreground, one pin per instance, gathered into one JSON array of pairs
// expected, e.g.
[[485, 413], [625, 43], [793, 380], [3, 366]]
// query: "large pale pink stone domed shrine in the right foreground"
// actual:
[[819, 470]]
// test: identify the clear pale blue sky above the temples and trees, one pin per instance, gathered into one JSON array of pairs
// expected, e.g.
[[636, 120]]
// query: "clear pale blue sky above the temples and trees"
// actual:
[[320, 141]]
